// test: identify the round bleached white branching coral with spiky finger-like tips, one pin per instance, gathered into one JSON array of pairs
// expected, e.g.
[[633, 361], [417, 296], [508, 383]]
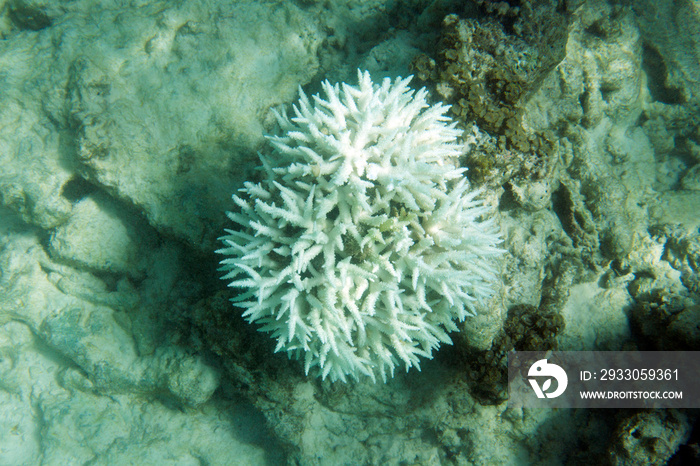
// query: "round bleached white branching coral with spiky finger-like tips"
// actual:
[[364, 242]]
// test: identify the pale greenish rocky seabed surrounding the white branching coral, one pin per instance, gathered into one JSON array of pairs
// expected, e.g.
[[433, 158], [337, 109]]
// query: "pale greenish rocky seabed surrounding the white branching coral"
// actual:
[[126, 126]]
